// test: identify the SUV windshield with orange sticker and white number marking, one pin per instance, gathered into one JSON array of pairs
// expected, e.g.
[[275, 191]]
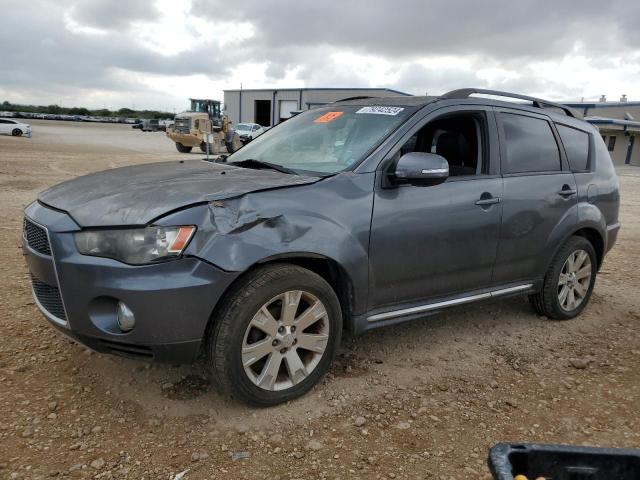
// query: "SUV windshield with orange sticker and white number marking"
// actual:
[[324, 140]]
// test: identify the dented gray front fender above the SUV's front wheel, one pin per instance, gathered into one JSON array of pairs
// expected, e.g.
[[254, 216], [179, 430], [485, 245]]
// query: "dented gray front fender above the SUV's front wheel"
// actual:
[[329, 219]]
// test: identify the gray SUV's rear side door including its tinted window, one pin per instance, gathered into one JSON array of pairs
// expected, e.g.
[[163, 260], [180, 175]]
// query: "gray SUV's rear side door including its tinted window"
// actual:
[[539, 199]]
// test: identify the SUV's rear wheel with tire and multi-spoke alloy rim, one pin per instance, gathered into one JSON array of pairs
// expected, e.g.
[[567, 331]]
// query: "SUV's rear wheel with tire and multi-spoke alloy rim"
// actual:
[[569, 281]]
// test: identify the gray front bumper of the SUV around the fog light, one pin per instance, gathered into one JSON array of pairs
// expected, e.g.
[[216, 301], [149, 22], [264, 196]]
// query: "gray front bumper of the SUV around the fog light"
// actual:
[[172, 301]]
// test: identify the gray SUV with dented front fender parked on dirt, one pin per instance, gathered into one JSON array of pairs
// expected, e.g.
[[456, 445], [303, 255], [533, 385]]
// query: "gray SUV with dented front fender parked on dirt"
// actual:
[[360, 214]]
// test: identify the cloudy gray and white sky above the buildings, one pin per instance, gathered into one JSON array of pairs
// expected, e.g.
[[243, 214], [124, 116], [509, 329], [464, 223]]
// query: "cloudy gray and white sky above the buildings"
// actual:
[[157, 53]]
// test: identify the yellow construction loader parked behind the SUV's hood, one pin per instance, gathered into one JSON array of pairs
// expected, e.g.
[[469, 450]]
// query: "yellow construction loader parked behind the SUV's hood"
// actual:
[[204, 120]]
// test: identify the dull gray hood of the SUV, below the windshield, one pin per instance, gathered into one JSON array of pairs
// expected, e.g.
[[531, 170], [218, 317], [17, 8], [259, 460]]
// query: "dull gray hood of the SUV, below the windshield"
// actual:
[[138, 194]]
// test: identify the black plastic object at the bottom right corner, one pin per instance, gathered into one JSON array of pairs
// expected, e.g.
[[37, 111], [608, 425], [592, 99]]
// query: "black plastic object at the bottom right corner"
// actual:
[[563, 462]]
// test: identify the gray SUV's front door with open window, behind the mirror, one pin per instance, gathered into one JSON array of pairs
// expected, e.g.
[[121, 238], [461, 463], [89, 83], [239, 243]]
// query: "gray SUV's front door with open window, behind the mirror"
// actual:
[[433, 241]]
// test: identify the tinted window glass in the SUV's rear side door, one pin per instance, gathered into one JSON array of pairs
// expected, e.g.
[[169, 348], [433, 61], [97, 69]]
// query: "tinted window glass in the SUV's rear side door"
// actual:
[[530, 145]]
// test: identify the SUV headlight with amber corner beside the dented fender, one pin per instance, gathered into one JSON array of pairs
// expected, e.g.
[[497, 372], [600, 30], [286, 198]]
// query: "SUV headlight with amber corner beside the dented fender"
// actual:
[[136, 246]]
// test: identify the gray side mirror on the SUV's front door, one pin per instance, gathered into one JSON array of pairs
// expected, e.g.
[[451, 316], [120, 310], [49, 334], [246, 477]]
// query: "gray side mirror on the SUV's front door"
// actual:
[[418, 168]]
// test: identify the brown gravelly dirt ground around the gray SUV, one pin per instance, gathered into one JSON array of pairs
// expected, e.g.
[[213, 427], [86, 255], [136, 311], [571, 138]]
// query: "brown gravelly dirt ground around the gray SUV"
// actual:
[[422, 400]]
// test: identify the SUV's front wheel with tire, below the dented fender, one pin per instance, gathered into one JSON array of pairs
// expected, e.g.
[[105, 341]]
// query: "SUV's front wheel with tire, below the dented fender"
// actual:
[[275, 335]]
